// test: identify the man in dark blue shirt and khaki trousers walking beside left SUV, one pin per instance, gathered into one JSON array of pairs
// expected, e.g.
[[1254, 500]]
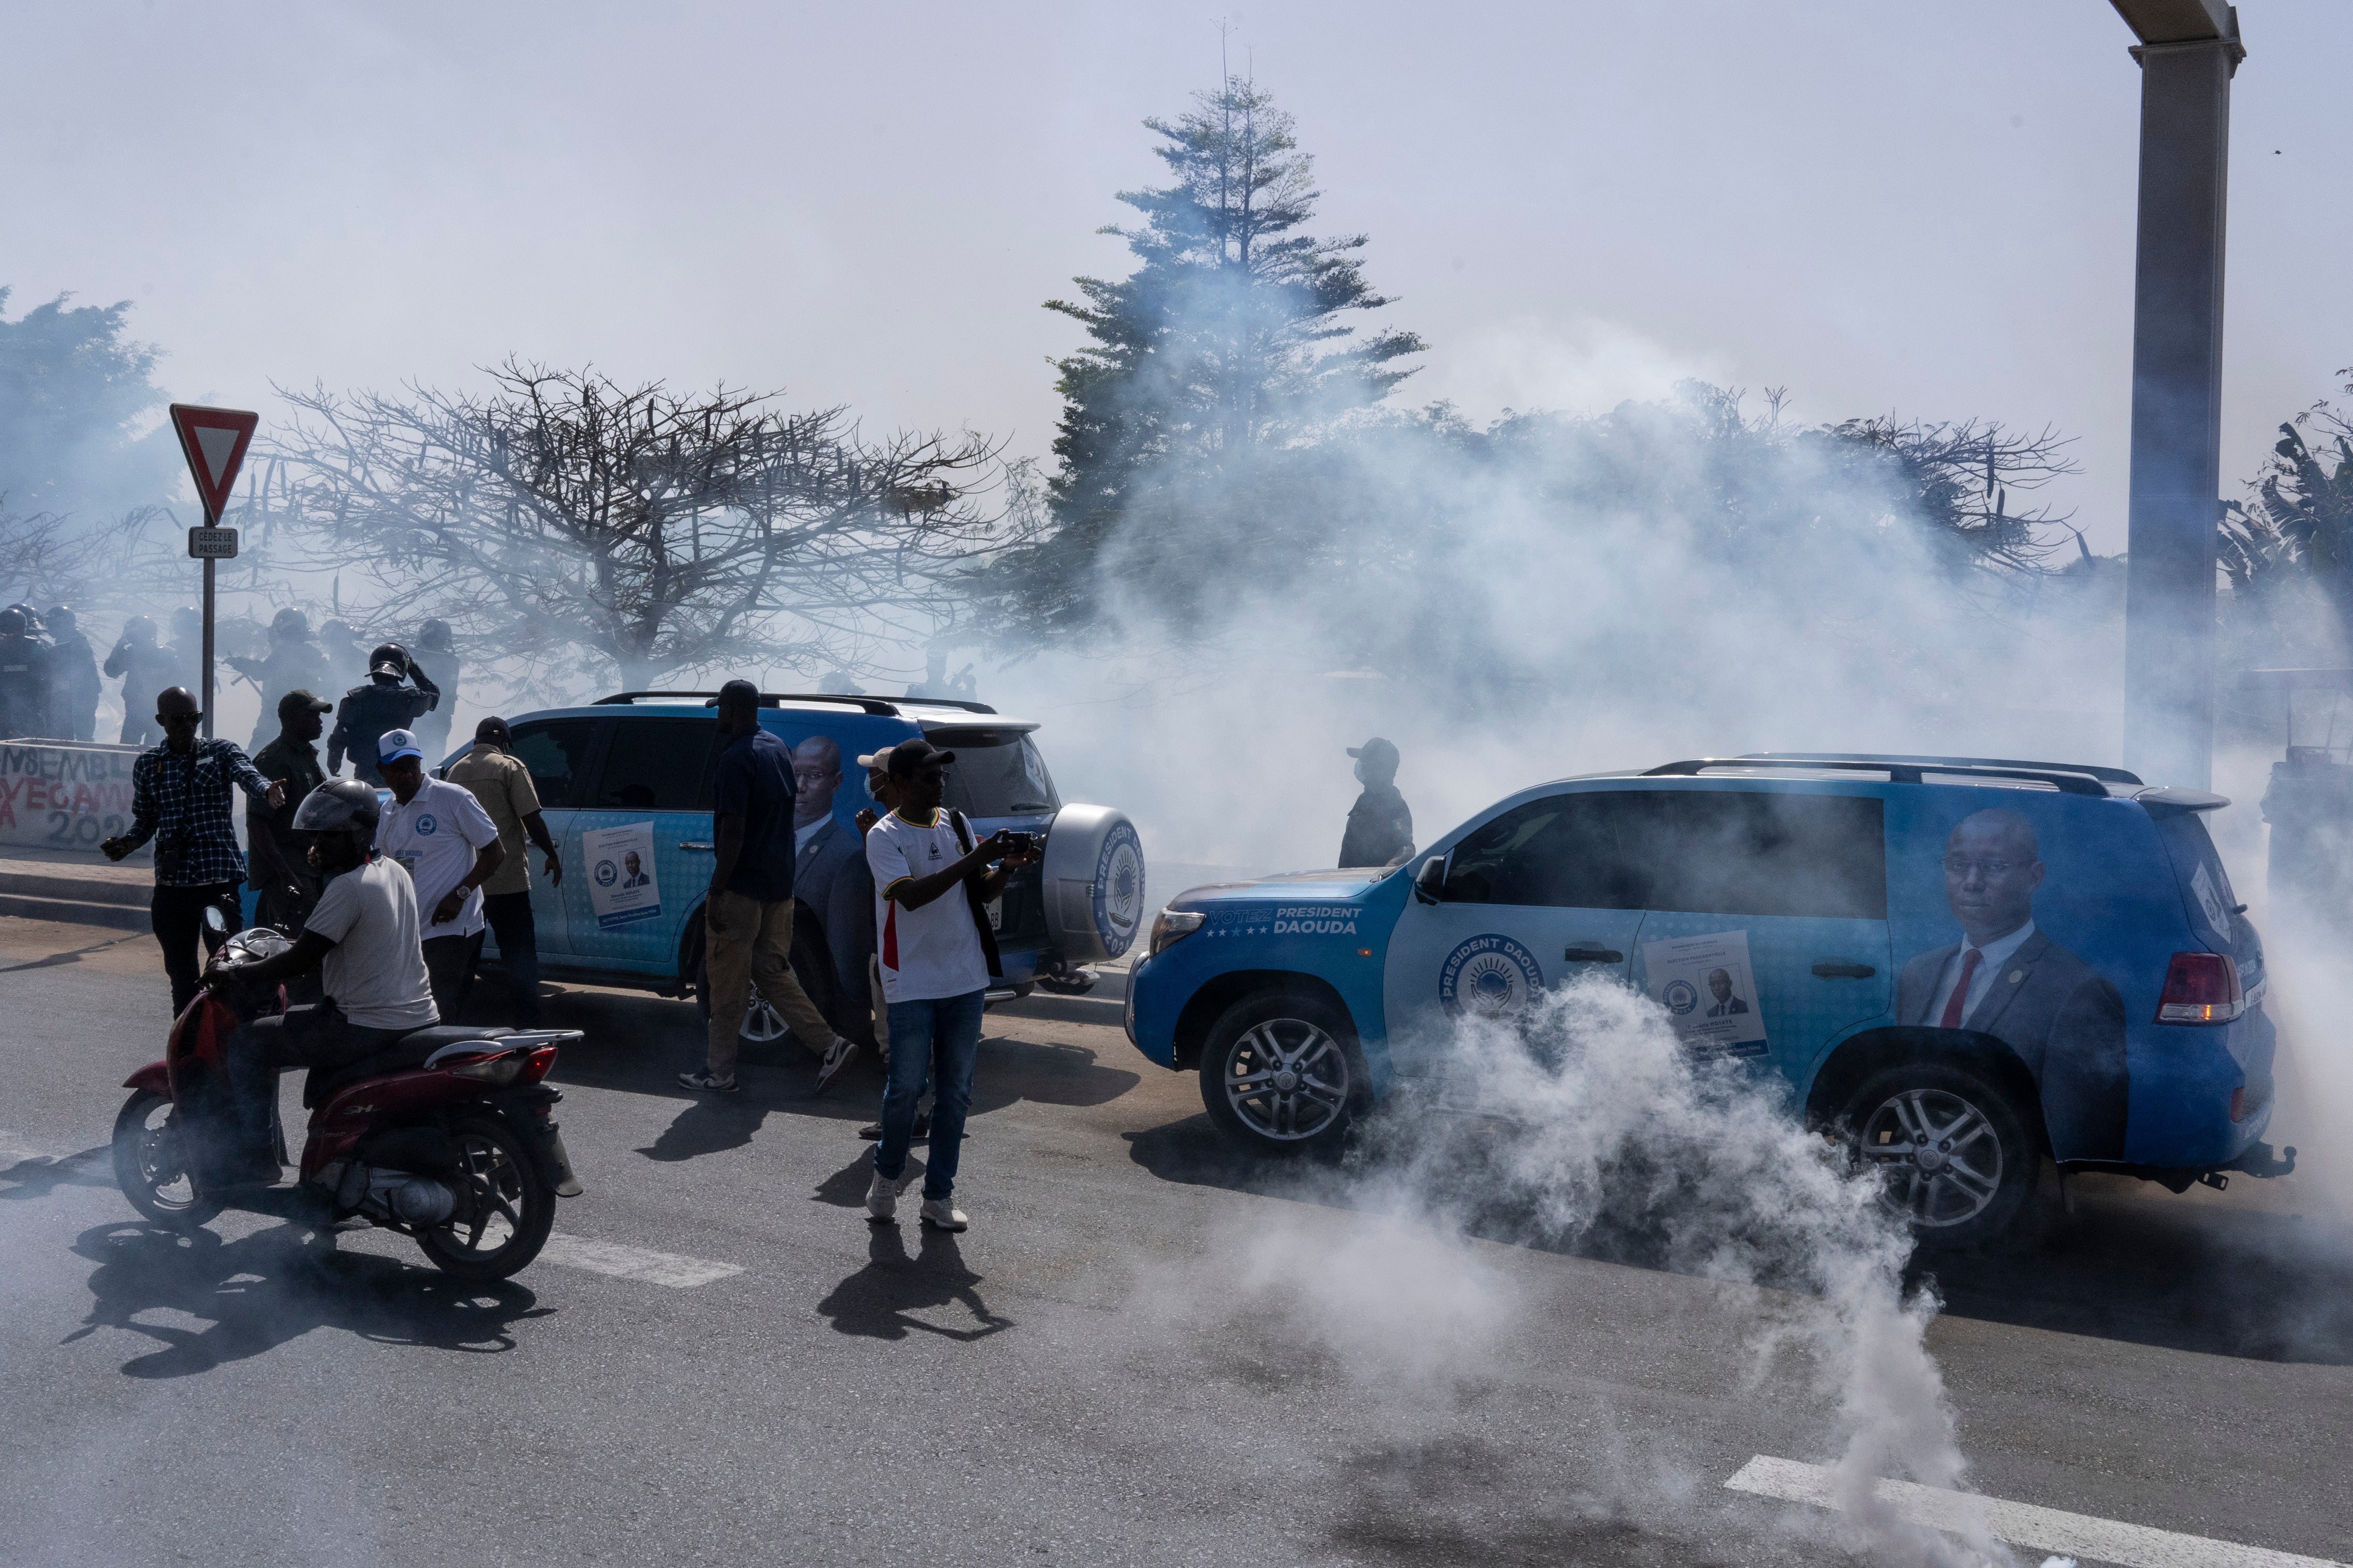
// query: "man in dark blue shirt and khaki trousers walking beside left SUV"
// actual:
[[749, 911]]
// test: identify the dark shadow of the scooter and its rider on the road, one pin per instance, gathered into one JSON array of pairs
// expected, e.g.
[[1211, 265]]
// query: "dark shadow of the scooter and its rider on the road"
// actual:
[[272, 1287]]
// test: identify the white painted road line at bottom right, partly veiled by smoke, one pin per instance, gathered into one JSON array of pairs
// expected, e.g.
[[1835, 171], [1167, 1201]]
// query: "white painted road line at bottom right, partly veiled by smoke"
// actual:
[[2020, 1525]]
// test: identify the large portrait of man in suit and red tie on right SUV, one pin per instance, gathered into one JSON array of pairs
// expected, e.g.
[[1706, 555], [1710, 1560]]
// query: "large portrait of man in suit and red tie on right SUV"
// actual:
[[2011, 979]]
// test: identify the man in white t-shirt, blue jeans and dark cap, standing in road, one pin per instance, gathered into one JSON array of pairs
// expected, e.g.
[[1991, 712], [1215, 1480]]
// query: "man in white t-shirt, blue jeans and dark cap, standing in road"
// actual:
[[938, 956]]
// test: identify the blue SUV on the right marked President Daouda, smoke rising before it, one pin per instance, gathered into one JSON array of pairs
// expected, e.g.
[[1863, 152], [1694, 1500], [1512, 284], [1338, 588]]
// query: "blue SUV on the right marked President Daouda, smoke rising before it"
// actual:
[[1964, 965]]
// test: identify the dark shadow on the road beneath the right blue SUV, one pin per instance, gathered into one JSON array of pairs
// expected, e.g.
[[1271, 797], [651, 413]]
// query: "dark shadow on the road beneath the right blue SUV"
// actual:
[[2128, 1266]]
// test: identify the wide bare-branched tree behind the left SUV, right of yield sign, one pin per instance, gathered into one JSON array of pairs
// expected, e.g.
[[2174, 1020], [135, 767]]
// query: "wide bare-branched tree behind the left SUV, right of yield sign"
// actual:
[[568, 516]]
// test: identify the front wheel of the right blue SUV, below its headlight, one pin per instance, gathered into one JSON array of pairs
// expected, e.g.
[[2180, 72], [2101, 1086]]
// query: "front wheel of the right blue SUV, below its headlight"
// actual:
[[1281, 1073]]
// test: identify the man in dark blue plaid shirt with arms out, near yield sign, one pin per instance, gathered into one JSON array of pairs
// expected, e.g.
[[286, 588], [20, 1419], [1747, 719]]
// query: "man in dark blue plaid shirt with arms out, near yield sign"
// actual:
[[180, 798]]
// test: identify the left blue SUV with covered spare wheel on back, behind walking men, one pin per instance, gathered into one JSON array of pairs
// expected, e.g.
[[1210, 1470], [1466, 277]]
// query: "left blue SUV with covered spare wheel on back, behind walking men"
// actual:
[[627, 793]]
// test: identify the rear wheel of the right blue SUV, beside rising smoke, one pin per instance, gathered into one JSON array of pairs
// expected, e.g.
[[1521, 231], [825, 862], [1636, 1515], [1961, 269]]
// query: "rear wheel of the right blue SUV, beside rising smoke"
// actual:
[[1952, 1148]]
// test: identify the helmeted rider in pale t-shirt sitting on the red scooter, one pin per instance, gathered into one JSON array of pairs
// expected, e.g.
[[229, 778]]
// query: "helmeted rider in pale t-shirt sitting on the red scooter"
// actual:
[[364, 942]]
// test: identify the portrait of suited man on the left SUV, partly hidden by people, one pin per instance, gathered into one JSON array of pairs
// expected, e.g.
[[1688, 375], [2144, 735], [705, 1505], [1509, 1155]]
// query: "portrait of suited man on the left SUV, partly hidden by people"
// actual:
[[834, 934]]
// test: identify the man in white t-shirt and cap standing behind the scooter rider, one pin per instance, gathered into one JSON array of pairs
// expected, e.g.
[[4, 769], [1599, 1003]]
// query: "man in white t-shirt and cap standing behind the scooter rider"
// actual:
[[451, 847]]
